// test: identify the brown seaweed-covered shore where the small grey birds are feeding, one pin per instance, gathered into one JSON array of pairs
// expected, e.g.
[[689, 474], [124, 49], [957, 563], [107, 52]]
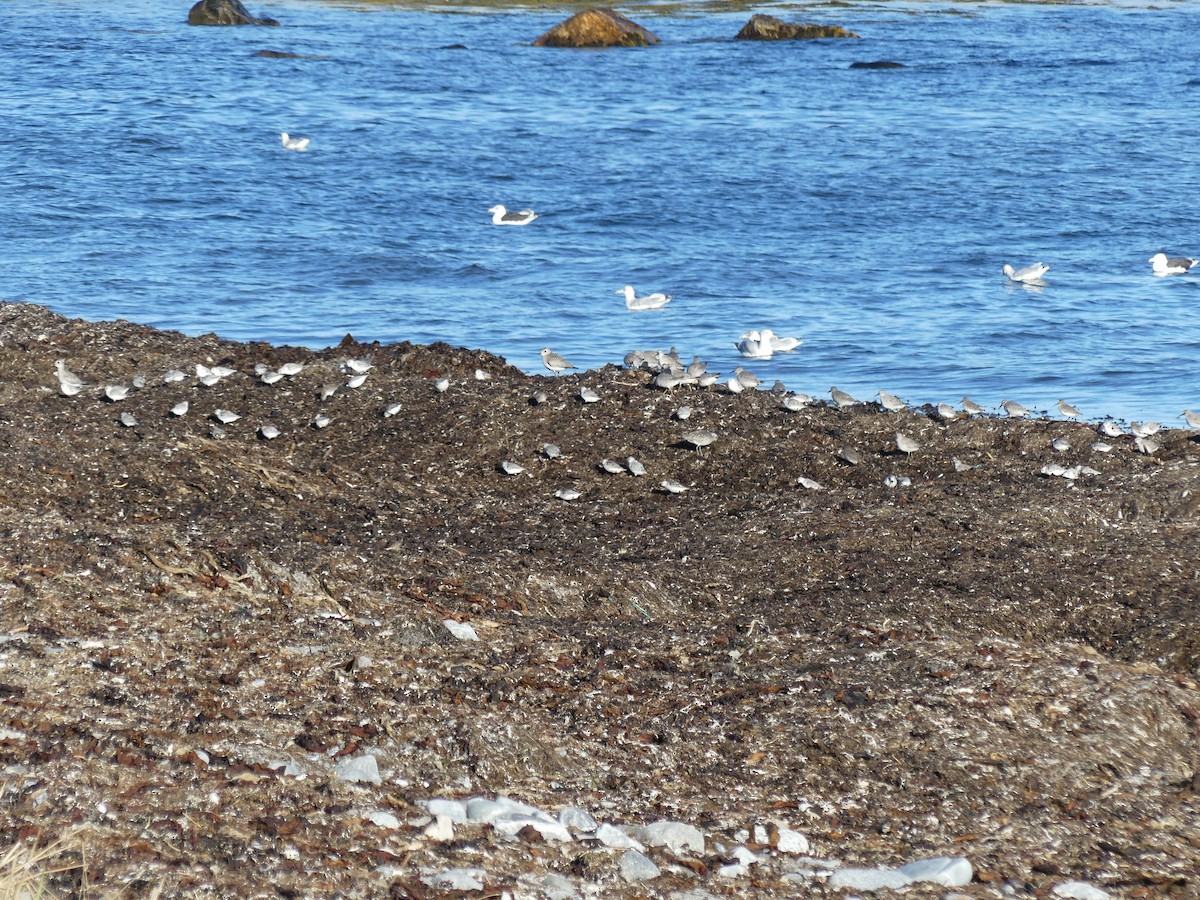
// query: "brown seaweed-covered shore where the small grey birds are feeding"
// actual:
[[989, 663]]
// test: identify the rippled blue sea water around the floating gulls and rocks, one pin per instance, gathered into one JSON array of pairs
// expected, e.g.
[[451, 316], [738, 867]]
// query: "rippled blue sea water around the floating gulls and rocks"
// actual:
[[867, 212]]
